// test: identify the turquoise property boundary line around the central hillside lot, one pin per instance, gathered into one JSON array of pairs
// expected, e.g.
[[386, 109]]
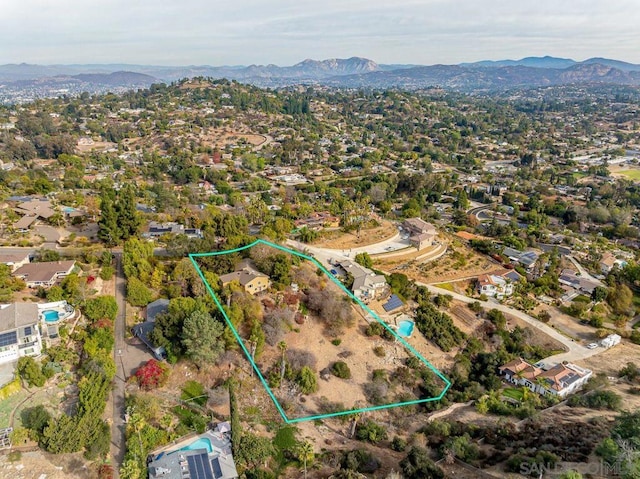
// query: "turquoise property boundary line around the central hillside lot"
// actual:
[[288, 420]]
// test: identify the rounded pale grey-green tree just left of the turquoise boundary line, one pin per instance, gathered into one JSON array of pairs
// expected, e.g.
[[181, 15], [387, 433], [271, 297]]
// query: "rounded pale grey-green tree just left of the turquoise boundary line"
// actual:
[[202, 338]]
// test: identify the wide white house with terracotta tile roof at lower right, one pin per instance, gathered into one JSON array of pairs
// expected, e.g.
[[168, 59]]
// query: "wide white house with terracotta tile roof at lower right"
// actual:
[[559, 380]]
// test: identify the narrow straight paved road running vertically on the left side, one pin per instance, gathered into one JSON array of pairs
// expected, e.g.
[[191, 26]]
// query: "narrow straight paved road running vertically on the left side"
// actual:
[[118, 426]]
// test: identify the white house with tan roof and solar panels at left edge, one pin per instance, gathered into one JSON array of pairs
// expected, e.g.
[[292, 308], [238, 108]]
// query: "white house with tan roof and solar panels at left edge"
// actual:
[[19, 332]]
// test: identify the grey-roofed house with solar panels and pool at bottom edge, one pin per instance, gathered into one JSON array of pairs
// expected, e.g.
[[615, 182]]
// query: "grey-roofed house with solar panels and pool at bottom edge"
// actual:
[[203, 456]]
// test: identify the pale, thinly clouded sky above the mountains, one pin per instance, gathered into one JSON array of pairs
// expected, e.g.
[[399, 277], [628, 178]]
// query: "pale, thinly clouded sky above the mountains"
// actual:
[[284, 32]]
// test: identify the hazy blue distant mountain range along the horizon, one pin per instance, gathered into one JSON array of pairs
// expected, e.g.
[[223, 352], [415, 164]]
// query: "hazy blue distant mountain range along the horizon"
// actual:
[[349, 73]]
